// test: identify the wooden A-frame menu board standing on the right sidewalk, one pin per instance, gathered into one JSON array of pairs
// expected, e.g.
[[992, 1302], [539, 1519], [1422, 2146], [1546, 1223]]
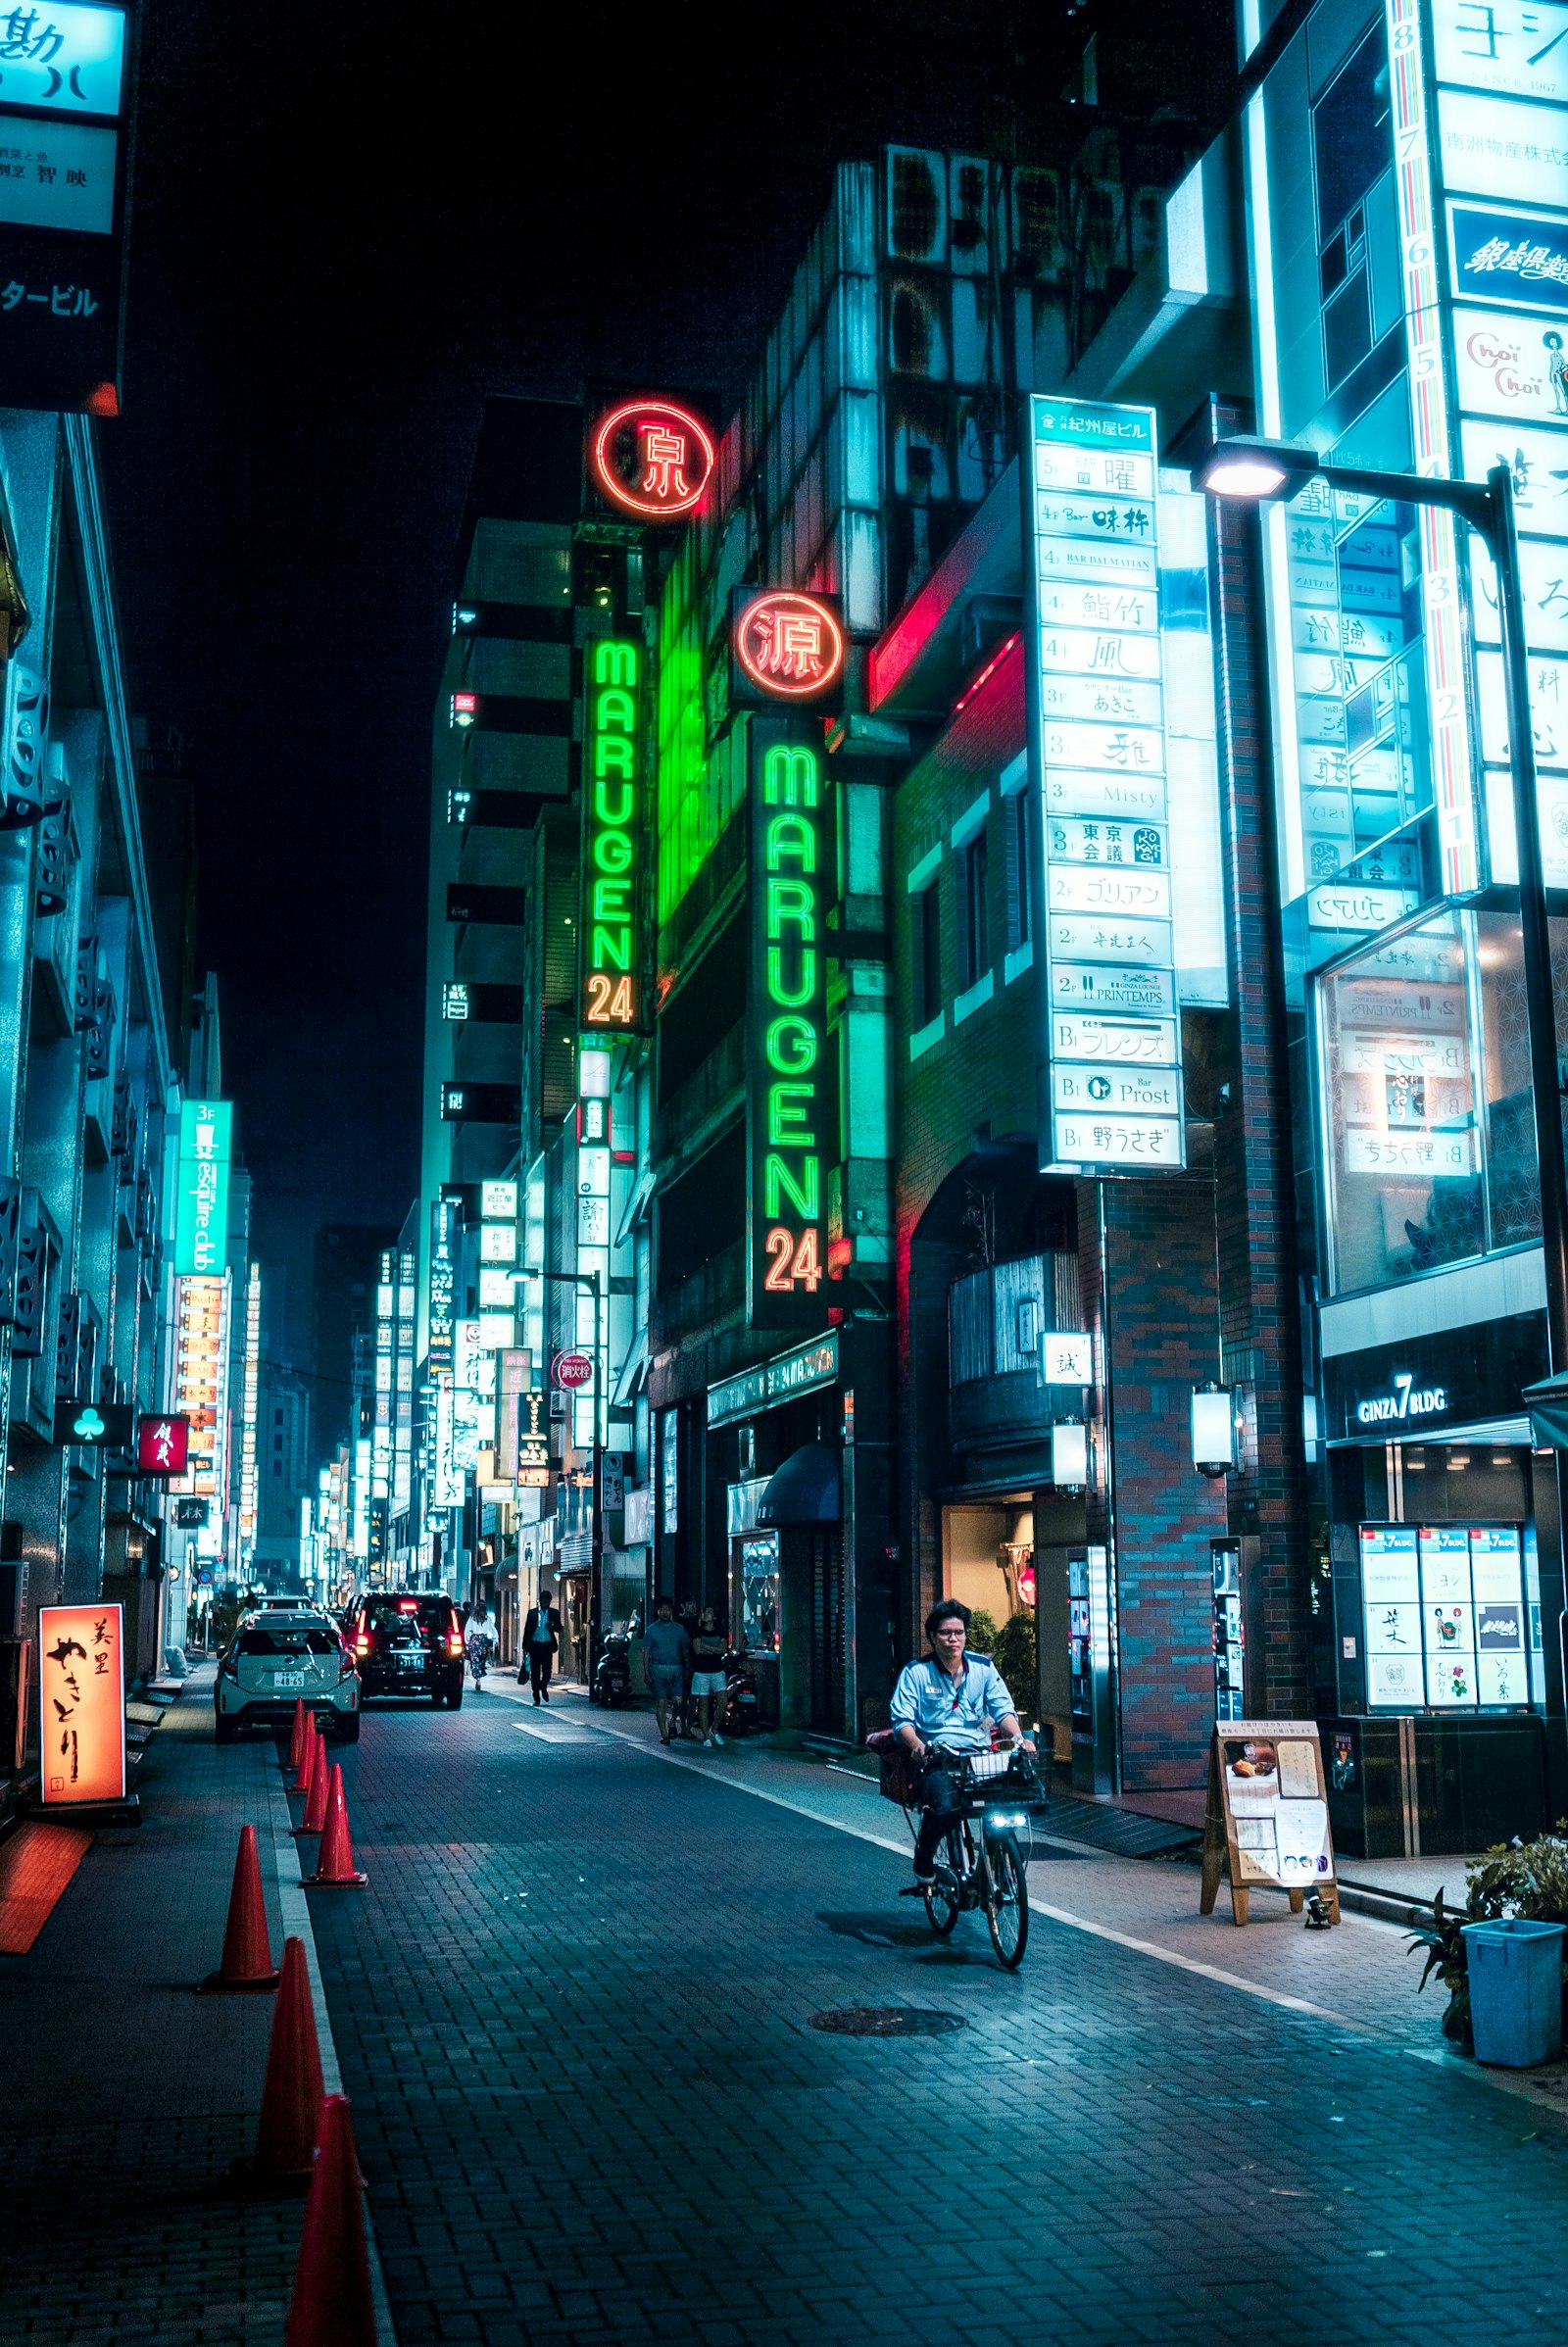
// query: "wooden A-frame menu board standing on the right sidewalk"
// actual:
[[1266, 1818]]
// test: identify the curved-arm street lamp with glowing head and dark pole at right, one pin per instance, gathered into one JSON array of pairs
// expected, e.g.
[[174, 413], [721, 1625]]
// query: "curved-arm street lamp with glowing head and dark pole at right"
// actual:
[[1259, 471]]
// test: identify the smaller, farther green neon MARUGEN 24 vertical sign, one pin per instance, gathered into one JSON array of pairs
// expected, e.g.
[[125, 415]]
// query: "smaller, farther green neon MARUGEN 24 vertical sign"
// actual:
[[614, 987]]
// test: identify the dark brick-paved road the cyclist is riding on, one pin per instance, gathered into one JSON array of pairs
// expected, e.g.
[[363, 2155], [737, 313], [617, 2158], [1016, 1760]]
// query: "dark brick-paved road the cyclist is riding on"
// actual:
[[574, 2015]]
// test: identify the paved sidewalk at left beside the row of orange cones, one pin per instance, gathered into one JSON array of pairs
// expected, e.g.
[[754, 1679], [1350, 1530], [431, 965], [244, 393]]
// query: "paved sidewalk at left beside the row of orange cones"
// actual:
[[126, 2095]]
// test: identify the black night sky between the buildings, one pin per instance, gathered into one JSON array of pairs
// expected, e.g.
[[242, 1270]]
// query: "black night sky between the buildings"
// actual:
[[349, 226]]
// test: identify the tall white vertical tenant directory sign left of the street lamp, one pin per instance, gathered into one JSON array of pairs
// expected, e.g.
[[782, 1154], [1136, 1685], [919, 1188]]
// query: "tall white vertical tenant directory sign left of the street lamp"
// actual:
[[1097, 740]]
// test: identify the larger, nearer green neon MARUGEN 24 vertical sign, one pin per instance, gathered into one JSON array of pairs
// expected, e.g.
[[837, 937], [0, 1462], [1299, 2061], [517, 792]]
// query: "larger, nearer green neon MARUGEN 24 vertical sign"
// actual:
[[790, 1097]]
